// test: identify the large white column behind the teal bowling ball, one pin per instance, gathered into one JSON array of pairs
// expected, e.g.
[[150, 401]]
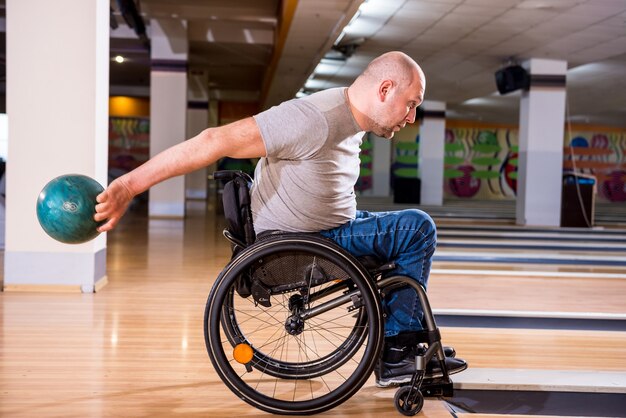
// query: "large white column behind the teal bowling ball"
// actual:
[[58, 125]]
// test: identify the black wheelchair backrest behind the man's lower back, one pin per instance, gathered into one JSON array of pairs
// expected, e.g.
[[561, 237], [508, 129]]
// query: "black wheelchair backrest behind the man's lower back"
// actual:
[[237, 210]]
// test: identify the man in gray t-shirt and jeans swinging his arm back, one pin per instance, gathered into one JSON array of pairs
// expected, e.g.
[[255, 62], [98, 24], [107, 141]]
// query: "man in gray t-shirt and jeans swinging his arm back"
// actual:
[[304, 182]]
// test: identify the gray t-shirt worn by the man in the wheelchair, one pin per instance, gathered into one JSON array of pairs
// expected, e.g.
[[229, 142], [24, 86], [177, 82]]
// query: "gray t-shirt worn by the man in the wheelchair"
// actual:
[[306, 181]]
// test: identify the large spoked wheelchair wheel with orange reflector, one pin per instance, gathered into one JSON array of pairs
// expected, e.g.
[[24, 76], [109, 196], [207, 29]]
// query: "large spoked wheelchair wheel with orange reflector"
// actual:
[[315, 344]]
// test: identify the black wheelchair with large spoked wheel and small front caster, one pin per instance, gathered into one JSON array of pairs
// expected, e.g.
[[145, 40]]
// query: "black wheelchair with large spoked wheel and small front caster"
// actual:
[[294, 324]]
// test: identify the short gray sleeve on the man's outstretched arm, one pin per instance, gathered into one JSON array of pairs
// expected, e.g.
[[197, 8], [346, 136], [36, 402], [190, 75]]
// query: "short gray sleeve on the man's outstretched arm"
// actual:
[[293, 130]]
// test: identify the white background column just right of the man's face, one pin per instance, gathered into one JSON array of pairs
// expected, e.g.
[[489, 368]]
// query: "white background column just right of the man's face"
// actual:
[[431, 152]]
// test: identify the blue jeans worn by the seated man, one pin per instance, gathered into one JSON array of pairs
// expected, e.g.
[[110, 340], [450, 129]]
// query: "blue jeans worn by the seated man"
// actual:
[[408, 238]]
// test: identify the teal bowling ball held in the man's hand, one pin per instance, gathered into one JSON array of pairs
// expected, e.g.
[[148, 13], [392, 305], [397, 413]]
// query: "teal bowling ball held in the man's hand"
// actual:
[[65, 208]]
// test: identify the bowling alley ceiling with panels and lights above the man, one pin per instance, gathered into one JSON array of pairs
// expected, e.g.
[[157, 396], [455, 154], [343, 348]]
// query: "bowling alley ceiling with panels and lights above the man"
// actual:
[[268, 50]]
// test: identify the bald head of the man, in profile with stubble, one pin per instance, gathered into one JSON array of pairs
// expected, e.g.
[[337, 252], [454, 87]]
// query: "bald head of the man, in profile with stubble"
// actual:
[[384, 97]]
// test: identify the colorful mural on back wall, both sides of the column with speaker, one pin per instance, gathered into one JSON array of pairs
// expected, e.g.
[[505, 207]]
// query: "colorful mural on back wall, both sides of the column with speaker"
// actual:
[[481, 163]]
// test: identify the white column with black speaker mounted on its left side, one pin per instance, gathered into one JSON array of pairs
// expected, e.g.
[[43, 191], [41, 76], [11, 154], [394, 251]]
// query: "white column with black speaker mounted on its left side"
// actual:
[[540, 164]]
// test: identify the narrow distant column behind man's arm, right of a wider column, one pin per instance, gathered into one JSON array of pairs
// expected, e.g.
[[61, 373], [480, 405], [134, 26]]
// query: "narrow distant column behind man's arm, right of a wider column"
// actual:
[[197, 121]]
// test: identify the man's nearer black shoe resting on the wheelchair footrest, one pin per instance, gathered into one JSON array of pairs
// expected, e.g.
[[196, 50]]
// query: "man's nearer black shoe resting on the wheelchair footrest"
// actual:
[[392, 373]]
